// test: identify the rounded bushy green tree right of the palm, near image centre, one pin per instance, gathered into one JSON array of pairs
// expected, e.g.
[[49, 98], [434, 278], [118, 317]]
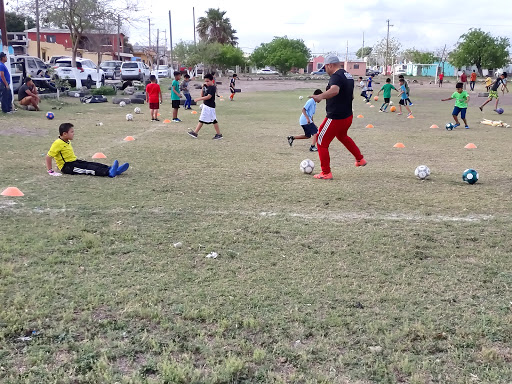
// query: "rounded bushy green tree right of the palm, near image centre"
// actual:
[[282, 53]]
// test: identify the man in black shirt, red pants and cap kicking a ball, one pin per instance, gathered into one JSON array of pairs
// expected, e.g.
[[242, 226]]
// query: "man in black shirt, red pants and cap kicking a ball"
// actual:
[[338, 95]]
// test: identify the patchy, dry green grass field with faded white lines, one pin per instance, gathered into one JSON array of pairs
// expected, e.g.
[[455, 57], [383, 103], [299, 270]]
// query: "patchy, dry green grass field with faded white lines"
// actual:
[[373, 277]]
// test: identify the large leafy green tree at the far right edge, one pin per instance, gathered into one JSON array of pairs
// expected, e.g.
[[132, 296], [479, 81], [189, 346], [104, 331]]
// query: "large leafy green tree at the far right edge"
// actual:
[[481, 49]]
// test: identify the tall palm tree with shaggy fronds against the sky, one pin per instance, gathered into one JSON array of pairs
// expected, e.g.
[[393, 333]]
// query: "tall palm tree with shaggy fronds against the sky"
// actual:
[[214, 27]]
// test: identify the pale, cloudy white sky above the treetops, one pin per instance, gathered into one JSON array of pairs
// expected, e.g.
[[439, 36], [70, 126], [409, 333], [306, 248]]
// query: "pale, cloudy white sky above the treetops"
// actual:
[[329, 26]]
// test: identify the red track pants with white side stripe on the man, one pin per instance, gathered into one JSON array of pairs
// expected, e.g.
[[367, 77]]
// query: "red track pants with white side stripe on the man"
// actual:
[[329, 129]]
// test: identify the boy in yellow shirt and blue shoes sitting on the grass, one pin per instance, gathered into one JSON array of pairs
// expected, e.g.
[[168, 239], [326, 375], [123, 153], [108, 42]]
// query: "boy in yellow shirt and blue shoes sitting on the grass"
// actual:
[[62, 151]]
